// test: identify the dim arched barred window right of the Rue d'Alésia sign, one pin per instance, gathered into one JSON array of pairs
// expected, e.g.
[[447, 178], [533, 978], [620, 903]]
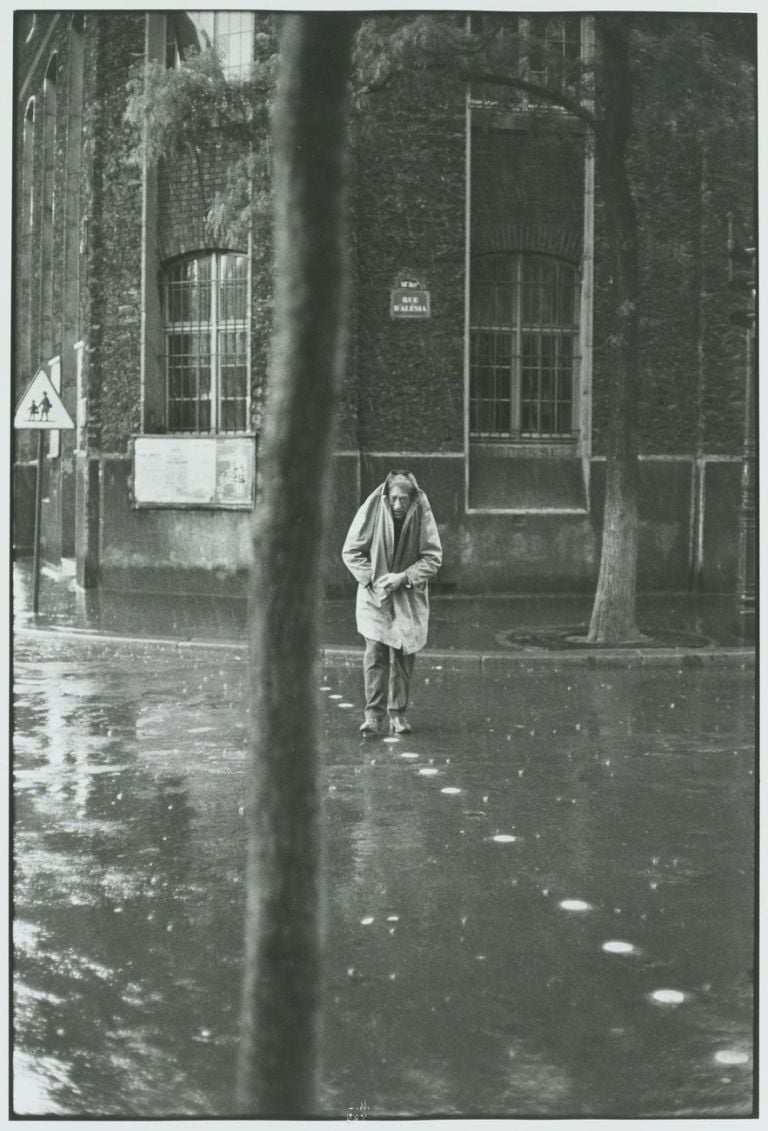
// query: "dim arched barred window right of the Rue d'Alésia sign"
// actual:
[[524, 348]]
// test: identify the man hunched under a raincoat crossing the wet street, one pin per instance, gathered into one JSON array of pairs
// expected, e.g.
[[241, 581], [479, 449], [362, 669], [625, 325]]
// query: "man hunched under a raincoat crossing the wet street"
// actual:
[[392, 549]]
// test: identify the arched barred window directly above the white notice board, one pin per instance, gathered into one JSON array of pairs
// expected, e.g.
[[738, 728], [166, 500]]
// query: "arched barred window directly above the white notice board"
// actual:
[[205, 304]]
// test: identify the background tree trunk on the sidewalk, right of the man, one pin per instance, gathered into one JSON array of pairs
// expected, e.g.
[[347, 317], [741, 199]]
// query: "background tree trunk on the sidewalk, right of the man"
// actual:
[[615, 616]]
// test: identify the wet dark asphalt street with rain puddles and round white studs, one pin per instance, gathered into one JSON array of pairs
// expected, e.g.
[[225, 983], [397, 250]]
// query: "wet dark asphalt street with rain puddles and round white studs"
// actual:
[[541, 904]]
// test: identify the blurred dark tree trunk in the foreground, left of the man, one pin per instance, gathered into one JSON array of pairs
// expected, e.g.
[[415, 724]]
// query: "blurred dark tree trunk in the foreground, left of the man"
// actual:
[[279, 1055]]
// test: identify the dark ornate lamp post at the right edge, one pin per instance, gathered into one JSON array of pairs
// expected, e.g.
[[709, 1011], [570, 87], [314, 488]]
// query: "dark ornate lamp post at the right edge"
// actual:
[[743, 278]]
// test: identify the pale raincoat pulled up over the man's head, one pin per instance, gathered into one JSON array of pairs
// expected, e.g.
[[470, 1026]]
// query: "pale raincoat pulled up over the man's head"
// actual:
[[401, 619]]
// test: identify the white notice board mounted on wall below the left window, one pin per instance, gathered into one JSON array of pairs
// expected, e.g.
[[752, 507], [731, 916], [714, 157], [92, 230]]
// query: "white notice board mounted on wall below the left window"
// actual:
[[189, 471]]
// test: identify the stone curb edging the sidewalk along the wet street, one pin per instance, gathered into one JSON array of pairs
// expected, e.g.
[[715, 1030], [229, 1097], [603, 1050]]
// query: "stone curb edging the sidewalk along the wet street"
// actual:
[[455, 660]]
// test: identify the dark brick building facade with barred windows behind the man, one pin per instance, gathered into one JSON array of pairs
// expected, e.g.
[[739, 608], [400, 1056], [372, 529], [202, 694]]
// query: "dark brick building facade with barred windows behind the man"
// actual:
[[480, 324]]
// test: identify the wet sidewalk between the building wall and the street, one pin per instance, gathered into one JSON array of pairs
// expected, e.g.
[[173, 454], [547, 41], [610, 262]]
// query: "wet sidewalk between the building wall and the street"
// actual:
[[485, 631]]
